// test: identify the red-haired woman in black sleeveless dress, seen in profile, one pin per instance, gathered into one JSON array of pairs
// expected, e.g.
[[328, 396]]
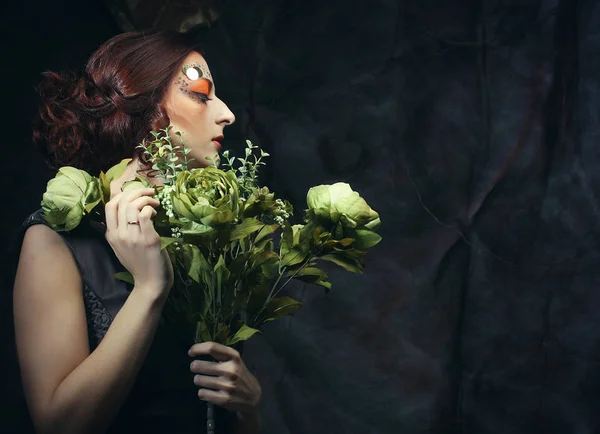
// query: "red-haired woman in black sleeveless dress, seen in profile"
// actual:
[[95, 354]]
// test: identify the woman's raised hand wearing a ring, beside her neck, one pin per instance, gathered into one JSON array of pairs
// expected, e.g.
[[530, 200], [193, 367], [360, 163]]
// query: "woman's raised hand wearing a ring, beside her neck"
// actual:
[[131, 234]]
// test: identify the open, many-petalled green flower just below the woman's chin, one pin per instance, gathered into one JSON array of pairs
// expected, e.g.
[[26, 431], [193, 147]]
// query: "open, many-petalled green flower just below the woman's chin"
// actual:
[[208, 196]]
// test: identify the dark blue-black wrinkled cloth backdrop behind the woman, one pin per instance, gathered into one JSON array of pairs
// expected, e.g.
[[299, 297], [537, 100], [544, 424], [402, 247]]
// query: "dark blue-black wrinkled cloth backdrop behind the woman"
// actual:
[[472, 127]]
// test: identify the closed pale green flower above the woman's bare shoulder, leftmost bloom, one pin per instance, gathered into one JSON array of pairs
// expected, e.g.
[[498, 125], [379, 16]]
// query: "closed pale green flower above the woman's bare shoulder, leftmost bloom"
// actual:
[[69, 195]]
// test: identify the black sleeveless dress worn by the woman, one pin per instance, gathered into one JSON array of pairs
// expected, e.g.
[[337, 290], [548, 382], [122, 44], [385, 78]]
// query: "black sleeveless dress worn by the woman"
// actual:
[[164, 398]]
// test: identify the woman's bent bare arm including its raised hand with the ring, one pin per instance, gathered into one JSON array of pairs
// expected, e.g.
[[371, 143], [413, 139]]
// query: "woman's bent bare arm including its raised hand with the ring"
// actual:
[[69, 390]]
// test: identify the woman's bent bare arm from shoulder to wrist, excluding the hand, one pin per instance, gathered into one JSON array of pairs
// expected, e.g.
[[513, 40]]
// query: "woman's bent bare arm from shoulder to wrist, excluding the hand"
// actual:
[[69, 390]]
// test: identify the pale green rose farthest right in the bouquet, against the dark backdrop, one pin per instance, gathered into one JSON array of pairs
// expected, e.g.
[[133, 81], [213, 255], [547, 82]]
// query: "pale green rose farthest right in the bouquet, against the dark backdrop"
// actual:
[[346, 212]]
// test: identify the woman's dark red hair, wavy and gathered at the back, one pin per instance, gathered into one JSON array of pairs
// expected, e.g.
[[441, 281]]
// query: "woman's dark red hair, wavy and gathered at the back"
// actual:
[[94, 120]]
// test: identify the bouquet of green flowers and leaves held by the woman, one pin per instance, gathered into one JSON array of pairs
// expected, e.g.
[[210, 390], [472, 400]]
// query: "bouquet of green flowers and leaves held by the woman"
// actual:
[[230, 240]]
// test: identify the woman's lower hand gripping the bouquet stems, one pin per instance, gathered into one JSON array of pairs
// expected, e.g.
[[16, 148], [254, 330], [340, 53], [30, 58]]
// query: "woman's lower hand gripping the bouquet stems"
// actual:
[[227, 383]]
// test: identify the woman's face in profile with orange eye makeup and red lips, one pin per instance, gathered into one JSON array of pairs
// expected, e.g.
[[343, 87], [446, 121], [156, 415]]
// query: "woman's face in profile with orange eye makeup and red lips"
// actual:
[[195, 111]]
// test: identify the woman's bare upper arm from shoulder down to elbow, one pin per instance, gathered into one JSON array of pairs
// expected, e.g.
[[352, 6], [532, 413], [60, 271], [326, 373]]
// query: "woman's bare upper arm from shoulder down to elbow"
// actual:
[[49, 315]]
